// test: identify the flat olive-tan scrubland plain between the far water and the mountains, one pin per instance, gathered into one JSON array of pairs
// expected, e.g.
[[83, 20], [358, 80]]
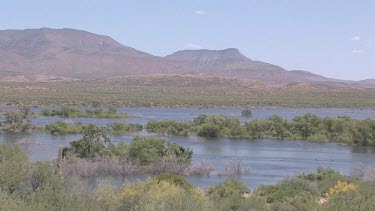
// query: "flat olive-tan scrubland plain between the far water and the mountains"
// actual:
[[181, 91]]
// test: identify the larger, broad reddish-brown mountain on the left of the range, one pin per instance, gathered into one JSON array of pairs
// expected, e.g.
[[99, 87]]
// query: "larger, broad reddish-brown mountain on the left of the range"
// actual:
[[73, 53]]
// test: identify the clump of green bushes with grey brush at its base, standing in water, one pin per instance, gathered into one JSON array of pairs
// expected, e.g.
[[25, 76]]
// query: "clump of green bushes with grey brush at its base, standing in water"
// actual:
[[94, 155]]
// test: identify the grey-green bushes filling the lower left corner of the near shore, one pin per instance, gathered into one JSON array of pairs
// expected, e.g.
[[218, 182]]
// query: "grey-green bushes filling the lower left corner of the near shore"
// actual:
[[33, 186]]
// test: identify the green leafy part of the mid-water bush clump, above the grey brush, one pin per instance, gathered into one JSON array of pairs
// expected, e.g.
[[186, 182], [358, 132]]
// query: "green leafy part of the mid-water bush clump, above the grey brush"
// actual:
[[142, 150]]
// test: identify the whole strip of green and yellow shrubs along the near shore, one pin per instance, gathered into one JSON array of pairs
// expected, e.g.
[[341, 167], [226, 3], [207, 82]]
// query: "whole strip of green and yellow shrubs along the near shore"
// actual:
[[30, 186]]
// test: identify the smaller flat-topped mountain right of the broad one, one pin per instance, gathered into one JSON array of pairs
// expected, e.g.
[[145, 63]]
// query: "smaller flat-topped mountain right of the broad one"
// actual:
[[231, 63]]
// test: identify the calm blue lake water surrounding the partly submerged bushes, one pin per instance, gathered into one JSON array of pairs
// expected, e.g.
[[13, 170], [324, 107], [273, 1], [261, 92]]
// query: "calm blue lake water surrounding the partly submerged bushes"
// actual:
[[266, 161]]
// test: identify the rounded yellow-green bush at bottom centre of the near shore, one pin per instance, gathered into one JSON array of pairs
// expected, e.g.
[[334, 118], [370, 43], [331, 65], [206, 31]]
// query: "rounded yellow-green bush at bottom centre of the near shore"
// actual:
[[156, 195]]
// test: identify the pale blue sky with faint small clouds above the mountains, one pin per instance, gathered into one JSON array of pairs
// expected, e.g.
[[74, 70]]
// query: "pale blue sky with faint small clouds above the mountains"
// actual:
[[334, 38]]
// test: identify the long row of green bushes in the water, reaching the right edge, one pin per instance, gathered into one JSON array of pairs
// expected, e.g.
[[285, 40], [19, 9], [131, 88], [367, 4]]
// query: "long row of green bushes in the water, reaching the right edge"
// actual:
[[310, 127]]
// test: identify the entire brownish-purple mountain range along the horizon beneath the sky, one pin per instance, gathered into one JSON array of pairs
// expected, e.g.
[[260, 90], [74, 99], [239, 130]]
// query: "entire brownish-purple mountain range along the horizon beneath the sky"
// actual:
[[67, 54]]
